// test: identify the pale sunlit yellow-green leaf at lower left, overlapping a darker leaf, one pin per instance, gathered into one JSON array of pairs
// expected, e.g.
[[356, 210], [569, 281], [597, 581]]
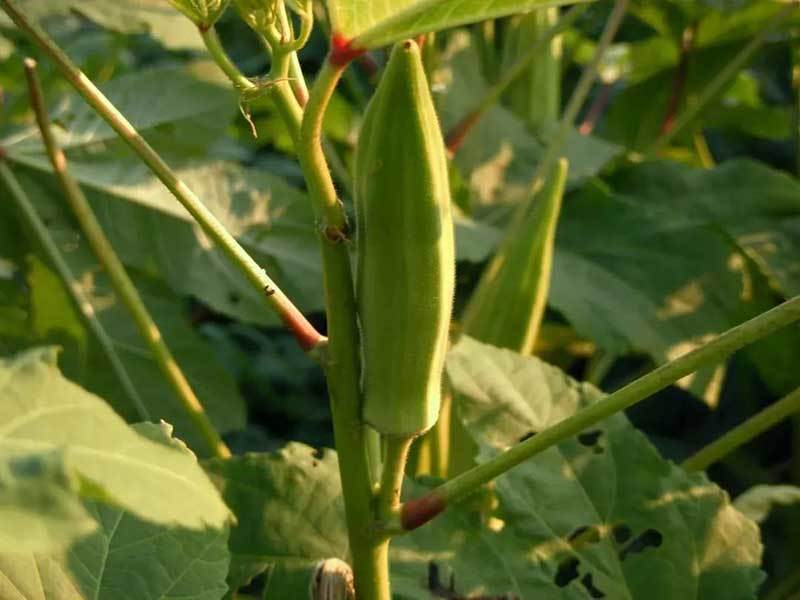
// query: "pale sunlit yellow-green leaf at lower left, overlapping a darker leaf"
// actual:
[[43, 413]]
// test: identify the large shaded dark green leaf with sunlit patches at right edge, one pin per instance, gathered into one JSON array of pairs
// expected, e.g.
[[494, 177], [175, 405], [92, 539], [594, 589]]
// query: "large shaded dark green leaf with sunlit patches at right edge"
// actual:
[[663, 257]]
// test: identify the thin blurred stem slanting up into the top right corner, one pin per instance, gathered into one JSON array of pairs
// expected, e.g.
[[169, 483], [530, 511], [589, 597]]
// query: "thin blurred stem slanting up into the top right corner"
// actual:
[[721, 79]]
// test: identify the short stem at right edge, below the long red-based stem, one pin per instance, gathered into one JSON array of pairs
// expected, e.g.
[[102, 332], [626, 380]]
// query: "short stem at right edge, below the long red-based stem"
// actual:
[[742, 434]]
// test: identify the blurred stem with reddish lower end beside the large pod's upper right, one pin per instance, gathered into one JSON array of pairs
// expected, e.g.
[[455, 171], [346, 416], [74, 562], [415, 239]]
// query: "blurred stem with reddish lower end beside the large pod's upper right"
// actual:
[[457, 134]]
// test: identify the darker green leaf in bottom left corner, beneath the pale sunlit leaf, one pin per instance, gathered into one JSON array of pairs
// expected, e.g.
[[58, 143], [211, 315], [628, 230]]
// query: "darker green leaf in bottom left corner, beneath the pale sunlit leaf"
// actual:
[[125, 558]]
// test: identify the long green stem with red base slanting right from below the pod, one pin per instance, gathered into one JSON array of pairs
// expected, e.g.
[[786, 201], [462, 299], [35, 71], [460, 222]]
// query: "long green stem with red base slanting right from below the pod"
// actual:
[[419, 511]]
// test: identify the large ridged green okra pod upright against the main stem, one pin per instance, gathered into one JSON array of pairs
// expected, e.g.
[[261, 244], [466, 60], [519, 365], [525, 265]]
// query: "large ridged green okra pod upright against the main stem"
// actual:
[[405, 249]]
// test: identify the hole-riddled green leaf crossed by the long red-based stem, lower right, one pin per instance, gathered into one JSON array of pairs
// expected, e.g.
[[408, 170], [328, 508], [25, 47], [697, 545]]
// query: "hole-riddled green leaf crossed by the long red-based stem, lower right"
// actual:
[[601, 513]]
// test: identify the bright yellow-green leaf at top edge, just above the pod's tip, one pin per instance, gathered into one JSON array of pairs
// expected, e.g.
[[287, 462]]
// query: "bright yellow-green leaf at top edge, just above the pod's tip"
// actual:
[[370, 23]]
